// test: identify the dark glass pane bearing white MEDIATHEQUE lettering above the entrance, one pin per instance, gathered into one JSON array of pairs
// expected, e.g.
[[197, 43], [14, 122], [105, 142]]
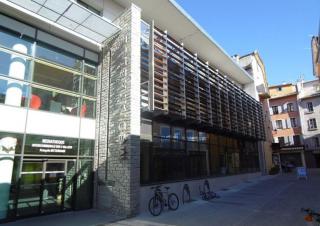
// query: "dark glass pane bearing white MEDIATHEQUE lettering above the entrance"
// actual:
[[47, 145]]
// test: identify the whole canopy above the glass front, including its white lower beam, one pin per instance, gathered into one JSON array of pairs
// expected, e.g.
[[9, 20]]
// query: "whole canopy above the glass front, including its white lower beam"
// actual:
[[62, 16]]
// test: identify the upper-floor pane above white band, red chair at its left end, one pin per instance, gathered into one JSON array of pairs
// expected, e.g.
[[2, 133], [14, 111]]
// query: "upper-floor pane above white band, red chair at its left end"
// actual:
[[53, 101]]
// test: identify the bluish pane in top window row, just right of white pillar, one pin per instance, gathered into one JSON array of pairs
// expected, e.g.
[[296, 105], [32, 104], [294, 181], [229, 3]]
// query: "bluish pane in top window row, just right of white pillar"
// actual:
[[58, 56]]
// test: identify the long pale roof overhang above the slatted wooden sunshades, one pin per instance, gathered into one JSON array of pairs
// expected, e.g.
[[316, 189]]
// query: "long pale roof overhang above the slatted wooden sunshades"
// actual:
[[168, 15]]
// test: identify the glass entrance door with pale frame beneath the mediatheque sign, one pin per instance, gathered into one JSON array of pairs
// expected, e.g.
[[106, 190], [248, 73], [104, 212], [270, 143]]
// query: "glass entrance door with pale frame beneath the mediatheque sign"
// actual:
[[46, 186]]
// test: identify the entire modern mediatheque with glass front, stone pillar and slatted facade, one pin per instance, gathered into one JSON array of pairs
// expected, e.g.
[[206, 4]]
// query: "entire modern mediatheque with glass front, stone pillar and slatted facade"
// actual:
[[100, 99]]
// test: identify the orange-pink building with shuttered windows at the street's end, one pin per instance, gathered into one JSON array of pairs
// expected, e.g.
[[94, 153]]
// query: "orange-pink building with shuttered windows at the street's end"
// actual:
[[284, 110]]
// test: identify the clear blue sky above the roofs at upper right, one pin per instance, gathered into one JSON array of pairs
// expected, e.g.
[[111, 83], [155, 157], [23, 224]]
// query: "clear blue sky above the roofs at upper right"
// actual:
[[280, 30]]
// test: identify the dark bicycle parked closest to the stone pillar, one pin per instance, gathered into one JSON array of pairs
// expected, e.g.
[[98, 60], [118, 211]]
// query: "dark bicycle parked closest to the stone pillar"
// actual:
[[158, 201]]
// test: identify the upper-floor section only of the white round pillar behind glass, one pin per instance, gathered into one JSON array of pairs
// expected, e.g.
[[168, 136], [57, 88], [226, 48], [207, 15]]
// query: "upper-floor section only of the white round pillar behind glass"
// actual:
[[16, 70]]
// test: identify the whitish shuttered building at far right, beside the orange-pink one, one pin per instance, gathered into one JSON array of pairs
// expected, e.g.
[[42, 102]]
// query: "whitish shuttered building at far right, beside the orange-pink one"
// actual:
[[309, 108]]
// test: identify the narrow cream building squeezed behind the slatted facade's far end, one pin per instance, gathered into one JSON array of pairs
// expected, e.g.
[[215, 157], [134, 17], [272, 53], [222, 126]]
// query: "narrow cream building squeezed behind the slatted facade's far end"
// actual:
[[254, 65]]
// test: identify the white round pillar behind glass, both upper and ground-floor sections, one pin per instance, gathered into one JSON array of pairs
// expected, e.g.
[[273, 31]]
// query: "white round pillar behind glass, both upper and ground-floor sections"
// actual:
[[17, 70]]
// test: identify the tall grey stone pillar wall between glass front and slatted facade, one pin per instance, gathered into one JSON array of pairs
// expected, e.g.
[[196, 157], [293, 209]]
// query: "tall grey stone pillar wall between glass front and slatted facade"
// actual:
[[117, 159]]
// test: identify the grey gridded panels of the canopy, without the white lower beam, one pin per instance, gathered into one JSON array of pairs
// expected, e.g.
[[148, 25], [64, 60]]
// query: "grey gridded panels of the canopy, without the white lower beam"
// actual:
[[73, 16]]
